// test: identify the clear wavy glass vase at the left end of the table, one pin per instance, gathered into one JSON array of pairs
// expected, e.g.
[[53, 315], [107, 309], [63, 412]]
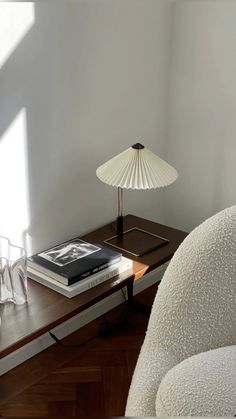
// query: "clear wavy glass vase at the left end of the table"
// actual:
[[13, 273]]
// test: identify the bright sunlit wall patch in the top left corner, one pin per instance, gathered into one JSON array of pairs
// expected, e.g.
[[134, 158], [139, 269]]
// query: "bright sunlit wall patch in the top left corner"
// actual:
[[16, 18]]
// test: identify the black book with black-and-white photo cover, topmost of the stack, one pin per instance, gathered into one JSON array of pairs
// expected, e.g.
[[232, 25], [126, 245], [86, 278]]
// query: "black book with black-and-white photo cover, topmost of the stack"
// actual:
[[73, 260]]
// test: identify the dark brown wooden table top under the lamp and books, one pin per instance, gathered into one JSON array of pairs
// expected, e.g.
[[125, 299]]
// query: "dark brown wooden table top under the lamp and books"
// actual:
[[47, 309]]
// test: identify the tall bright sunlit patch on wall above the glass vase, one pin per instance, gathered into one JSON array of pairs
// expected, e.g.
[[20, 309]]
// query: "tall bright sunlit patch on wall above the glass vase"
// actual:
[[14, 207]]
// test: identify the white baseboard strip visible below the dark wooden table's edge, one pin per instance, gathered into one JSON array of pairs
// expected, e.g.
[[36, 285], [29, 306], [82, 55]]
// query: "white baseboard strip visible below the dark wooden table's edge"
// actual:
[[21, 355]]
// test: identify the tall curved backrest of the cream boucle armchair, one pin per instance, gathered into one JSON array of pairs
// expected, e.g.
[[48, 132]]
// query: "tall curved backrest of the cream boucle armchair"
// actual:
[[194, 309]]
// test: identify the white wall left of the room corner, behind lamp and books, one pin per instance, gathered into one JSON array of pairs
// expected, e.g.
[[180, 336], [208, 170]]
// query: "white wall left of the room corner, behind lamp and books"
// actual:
[[88, 79]]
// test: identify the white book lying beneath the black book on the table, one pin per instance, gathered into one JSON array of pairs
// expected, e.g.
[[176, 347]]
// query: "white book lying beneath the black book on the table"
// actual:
[[122, 267]]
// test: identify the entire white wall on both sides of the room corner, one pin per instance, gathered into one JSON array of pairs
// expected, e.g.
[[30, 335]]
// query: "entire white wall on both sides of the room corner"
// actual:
[[89, 78]]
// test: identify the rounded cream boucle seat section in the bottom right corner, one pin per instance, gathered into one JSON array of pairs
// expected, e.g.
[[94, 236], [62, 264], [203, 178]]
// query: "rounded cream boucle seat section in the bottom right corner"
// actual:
[[202, 385]]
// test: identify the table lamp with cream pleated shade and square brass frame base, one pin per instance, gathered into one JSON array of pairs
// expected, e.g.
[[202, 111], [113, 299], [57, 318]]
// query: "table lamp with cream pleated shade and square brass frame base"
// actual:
[[135, 168]]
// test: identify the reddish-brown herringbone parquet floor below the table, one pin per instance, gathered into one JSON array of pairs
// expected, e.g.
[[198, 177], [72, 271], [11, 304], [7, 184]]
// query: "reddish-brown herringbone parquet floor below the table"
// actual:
[[87, 380]]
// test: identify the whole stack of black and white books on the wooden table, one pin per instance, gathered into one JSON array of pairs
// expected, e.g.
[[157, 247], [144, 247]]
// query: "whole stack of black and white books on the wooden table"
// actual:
[[76, 266]]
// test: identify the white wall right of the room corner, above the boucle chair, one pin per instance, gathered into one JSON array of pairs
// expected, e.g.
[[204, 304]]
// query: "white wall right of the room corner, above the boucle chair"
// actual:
[[202, 110]]
